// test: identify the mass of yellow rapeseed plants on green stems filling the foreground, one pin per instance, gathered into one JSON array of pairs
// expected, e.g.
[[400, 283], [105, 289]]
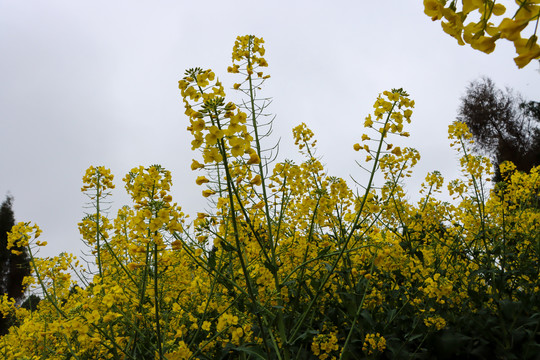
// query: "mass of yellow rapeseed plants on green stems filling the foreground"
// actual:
[[289, 262]]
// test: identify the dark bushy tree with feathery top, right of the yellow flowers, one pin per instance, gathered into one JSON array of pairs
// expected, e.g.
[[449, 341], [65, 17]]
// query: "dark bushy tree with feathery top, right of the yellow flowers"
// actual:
[[504, 126]]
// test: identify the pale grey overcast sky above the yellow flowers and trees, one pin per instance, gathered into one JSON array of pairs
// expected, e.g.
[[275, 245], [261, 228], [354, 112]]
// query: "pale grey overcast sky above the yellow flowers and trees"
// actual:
[[95, 83]]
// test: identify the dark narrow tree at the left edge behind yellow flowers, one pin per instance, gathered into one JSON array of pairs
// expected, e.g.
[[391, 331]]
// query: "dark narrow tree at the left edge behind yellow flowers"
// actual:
[[13, 268]]
